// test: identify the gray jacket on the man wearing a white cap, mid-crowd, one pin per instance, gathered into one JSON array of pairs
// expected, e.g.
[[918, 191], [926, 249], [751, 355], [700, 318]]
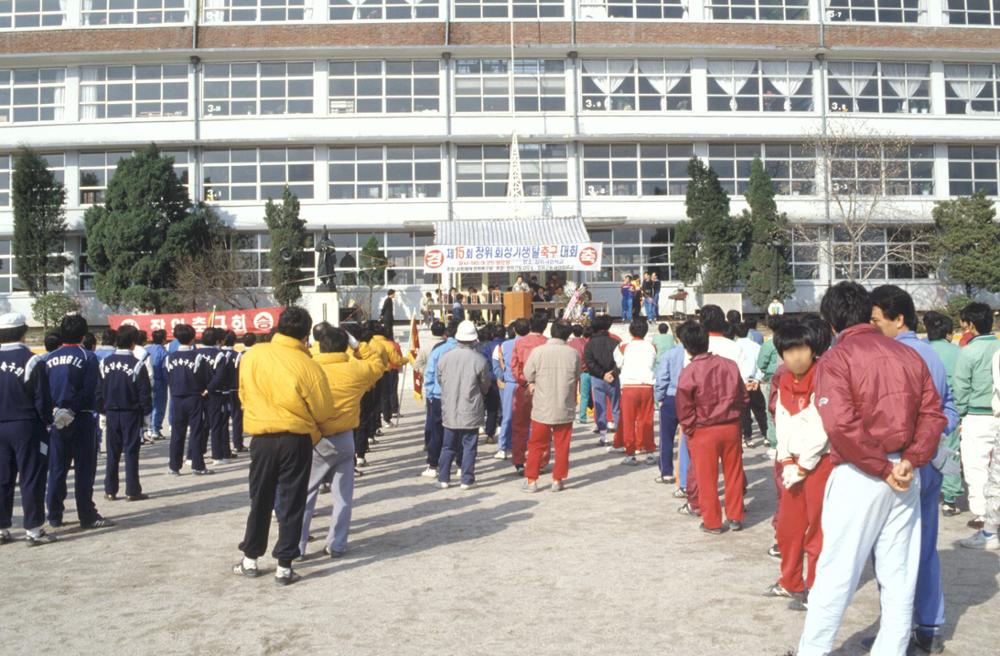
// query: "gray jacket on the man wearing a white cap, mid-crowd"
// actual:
[[464, 377]]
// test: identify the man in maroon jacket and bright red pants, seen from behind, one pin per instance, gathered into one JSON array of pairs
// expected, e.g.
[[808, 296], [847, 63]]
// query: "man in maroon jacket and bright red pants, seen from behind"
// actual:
[[710, 399]]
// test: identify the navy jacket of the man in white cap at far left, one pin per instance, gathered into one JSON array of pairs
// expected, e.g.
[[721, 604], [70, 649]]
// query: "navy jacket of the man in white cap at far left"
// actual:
[[24, 388]]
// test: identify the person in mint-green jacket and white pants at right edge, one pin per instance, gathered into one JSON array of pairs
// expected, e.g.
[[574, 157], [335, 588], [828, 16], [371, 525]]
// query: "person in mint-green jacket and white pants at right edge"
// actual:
[[973, 392]]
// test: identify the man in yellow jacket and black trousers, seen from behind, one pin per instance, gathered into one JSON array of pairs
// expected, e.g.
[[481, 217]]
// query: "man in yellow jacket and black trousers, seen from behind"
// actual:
[[287, 407]]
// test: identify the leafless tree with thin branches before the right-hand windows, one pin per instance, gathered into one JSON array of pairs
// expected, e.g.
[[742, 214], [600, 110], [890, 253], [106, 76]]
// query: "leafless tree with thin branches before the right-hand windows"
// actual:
[[866, 173]]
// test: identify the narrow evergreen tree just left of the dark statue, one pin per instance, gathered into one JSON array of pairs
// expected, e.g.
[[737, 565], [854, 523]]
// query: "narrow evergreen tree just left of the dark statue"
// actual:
[[288, 238]]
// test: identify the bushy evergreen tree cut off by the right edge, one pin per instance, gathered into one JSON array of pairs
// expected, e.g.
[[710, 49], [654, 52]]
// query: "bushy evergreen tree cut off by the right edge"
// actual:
[[967, 242]]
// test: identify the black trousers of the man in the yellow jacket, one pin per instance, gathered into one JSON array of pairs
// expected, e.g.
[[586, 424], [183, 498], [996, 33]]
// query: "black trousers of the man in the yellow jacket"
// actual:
[[279, 467]]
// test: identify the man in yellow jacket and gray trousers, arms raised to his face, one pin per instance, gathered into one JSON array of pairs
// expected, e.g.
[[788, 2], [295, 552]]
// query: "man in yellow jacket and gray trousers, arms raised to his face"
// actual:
[[349, 376]]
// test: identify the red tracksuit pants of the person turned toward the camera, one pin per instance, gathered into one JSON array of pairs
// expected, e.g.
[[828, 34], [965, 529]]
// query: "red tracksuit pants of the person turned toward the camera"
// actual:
[[799, 529]]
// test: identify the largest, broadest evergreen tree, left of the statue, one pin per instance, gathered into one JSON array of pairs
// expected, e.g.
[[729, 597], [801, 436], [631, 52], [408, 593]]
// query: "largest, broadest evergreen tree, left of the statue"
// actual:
[[136, 238]]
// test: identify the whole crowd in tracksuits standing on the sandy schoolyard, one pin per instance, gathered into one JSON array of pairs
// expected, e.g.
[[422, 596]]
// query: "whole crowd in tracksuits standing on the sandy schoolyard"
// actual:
[[871, 430]]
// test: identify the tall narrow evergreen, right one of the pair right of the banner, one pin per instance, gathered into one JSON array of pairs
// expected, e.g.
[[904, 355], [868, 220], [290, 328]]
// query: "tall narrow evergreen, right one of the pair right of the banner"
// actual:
[[766, 269]]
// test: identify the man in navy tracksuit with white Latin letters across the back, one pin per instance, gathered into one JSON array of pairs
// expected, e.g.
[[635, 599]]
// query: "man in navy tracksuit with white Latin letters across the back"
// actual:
[[72, 372]]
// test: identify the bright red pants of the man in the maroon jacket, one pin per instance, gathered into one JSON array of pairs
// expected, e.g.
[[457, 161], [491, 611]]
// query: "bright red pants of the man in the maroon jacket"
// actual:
[[708, 446]]
